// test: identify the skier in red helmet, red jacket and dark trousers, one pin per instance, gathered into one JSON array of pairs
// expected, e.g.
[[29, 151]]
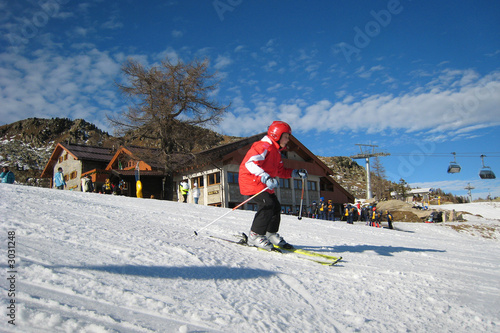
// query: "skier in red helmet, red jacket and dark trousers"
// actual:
[[257, 171]]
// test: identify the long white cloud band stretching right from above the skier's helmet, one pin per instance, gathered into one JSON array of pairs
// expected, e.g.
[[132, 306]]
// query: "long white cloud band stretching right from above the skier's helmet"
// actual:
[[456, 103]]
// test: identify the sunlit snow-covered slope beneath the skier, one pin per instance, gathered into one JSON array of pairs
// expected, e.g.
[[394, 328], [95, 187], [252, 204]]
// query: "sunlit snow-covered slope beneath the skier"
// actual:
[[99, 263]]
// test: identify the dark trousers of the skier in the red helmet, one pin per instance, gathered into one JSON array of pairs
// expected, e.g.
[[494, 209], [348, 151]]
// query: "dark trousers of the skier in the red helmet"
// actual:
[[268, 216]]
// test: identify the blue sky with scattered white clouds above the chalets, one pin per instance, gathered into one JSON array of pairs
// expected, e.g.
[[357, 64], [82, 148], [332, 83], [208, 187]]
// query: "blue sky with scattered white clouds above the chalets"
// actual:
[[420, 79]]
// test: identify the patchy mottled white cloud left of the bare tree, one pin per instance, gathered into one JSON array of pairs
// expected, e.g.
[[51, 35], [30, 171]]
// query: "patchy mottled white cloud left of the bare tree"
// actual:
[[50, 85]]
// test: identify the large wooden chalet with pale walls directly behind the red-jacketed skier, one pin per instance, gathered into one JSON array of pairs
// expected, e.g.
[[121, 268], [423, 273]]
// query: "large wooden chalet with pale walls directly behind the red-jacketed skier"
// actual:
[[216, 173]]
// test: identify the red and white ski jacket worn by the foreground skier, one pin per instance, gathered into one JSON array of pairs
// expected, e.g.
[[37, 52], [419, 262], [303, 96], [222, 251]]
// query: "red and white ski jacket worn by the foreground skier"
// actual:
[[263, 157]]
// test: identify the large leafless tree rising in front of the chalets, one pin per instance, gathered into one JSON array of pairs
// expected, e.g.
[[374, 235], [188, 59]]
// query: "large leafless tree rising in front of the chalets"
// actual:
[[169, 103]]
